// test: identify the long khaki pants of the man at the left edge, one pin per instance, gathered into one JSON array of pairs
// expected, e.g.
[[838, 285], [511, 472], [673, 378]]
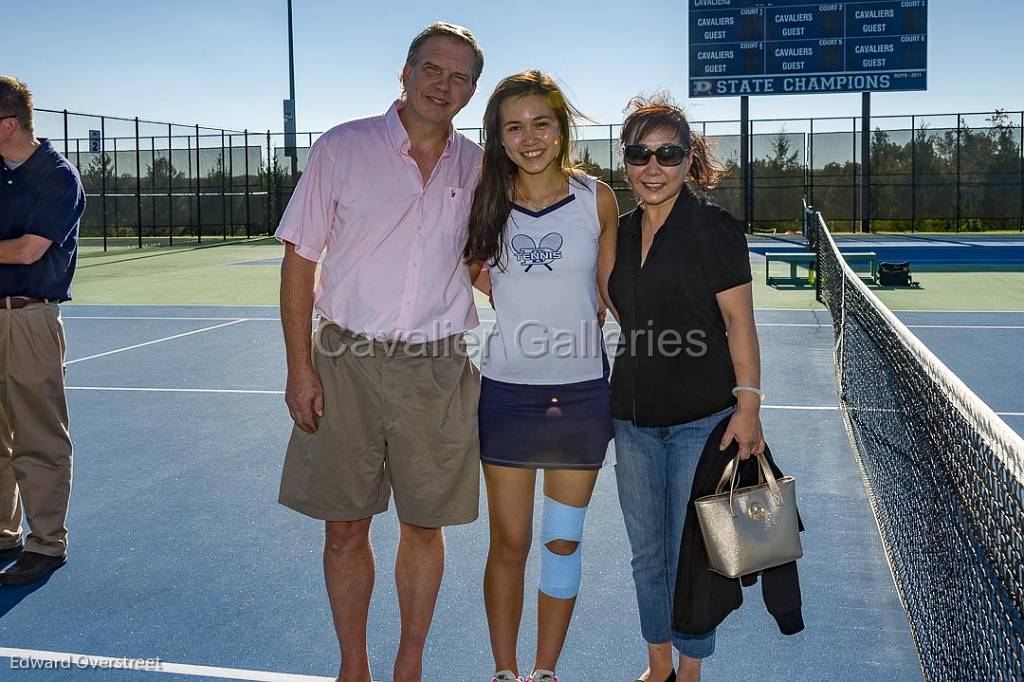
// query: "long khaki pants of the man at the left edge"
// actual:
[[35, 448]]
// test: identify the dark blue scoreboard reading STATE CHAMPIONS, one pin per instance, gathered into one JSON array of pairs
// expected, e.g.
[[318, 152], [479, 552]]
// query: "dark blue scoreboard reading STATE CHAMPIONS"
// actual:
[[745, 48]]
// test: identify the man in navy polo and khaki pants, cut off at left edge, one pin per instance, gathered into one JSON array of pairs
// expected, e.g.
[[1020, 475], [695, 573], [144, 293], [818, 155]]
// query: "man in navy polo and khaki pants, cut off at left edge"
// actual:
[[41, 203]]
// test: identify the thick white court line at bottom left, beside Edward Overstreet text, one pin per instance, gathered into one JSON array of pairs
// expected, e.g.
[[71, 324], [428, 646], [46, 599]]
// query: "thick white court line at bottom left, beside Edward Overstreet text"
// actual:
[[86, 662]]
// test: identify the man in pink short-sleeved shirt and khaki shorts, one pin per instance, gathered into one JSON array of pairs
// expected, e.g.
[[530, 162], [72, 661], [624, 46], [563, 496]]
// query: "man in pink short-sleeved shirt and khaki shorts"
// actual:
[[385, 397]]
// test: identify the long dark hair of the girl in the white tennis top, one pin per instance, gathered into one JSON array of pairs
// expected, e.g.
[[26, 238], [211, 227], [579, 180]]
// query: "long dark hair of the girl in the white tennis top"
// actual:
[[493, 200]]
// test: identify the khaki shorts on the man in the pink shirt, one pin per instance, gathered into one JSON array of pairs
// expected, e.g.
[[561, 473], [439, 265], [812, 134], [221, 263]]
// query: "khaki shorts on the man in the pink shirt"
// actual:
[[396, 415]]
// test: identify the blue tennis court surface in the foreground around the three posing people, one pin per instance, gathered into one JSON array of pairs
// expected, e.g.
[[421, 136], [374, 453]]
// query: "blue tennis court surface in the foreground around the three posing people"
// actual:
[[179, 550]]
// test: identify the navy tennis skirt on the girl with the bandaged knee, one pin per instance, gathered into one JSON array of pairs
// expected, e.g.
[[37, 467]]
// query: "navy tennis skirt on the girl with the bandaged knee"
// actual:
[[565, 427]]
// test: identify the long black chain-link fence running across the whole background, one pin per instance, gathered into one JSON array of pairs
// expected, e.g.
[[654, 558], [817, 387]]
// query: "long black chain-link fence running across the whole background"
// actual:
[[160, 184]]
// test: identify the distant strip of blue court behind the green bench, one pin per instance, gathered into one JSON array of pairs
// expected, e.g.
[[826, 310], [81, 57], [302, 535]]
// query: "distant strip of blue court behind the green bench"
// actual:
[[921, 250]]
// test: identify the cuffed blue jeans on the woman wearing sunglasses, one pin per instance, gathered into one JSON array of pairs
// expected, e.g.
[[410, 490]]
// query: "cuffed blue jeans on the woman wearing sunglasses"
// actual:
[[655, 468]]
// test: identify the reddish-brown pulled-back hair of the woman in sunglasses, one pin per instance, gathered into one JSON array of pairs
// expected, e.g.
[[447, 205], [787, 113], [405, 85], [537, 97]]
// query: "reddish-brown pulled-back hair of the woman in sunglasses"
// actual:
[[647, 114]]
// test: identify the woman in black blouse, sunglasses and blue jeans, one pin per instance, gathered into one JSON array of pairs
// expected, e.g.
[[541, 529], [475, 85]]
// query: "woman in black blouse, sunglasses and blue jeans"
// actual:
[[688, 360]]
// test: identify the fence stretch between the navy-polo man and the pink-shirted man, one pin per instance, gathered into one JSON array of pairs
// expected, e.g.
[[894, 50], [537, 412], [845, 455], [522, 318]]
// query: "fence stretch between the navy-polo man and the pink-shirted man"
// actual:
[[151, 184]]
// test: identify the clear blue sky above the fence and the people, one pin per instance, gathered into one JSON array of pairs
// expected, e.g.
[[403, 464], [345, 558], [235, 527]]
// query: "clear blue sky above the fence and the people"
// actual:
[[225, 63]]
